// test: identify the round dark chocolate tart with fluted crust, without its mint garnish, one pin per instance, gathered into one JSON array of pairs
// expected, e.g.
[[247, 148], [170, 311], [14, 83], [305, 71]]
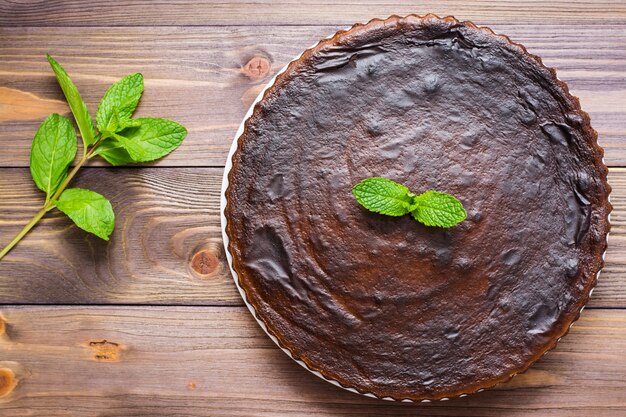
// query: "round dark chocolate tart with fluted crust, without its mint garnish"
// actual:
[[386, 306]]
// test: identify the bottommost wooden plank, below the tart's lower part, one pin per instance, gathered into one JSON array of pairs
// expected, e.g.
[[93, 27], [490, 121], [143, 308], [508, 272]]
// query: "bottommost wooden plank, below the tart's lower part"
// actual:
[[121, 361]]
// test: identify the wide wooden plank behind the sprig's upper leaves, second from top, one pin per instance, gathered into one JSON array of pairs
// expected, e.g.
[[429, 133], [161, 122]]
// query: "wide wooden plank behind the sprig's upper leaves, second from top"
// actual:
[[209, 83]]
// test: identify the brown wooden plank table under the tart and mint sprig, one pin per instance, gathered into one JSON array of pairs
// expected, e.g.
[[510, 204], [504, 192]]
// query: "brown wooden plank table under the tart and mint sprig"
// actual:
[[150, 323]]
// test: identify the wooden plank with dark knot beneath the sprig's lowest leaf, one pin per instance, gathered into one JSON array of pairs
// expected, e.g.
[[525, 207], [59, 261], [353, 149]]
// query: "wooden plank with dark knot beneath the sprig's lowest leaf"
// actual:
[[167, 225]]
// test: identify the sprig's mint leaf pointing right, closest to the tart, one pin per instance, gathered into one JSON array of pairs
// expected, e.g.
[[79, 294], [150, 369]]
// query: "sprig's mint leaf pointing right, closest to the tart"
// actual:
[[152, 139]]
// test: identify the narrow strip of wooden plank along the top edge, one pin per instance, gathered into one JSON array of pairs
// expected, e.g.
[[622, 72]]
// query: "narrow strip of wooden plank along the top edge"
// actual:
[[238, 12]]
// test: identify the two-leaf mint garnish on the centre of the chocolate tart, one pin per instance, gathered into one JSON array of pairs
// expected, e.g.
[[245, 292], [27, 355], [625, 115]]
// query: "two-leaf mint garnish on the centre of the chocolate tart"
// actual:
[[432, 208]]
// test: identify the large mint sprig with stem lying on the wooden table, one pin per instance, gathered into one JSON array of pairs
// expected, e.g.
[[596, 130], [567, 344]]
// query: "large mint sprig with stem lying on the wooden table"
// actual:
[[119, 139]]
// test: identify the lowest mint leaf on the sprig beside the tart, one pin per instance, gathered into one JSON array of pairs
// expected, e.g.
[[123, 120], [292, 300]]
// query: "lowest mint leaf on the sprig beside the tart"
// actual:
[[89, 210]]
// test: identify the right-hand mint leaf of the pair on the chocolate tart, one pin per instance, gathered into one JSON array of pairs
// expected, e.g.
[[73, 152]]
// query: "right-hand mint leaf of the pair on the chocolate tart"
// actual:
[[438, 209]]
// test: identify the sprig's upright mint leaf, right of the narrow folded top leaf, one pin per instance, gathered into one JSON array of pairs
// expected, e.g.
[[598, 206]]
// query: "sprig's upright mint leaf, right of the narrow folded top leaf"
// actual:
[[121, 98]]
